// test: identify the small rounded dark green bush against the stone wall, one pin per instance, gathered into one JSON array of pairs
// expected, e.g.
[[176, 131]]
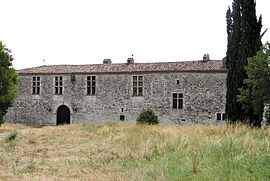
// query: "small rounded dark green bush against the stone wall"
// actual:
[[147, 117]]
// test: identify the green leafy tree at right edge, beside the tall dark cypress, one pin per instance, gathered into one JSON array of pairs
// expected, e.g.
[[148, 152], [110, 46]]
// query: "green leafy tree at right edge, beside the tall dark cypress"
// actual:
[[255, 93]]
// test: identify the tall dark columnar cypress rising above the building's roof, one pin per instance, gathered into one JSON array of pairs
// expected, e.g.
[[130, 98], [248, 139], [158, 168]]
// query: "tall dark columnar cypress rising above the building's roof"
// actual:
[[244, 41]]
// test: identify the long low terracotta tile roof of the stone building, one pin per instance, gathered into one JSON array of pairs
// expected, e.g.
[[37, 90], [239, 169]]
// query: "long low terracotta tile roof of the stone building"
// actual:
[[188, 66]]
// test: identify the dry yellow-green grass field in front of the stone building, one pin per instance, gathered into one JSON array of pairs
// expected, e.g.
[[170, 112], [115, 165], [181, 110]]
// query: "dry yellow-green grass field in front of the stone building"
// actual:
[[130, 152]]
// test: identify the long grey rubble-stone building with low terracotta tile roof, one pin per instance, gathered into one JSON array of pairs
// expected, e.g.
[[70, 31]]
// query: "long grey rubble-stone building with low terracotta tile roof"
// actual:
[[203, 91]]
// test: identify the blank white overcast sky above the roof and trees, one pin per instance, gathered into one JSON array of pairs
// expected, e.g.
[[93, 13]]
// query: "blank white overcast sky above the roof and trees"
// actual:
[[88, 31]]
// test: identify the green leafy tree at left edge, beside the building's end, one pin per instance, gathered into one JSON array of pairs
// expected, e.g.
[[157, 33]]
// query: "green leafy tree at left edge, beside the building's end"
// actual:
[[8, 81]]
